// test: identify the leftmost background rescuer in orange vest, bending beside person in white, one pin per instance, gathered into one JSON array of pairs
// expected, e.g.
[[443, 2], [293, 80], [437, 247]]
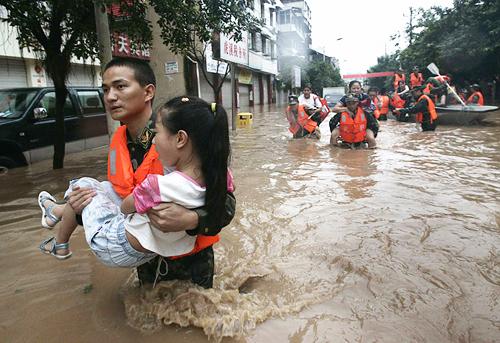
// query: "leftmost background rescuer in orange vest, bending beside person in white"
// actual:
[[301, 125]]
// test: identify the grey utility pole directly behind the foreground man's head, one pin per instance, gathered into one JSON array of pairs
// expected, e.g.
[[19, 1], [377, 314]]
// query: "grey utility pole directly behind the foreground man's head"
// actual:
[[104, 40]]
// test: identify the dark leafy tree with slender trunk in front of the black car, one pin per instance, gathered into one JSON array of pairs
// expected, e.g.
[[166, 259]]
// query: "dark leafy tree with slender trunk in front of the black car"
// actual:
[[56, 31]]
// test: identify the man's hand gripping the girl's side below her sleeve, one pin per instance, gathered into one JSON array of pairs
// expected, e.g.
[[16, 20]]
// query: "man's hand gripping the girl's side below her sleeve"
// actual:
[[170, 217]]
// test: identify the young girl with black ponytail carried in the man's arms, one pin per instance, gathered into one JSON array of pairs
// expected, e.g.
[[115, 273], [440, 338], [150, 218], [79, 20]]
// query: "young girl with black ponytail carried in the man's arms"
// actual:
[[192, 140]]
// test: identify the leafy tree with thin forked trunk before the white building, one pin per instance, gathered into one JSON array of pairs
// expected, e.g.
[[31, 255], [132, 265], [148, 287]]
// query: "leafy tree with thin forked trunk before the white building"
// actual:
[[187, 26]]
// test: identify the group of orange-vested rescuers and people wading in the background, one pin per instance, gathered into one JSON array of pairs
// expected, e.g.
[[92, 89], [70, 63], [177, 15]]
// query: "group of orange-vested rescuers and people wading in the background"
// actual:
[[357, 113]]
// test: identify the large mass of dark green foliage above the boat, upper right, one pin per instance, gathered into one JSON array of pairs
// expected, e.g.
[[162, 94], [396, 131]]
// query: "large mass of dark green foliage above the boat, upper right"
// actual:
[[463, 40]]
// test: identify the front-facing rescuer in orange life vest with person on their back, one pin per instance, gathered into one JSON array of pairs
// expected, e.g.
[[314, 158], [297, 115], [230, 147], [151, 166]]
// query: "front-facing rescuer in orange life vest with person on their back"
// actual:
[[350, 126]]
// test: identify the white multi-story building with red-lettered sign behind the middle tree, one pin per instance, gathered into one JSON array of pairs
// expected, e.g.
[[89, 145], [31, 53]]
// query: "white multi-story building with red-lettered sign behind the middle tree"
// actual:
[[255, 58]]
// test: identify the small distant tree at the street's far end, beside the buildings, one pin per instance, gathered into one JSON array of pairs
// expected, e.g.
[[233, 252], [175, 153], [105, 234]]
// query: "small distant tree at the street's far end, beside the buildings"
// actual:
[[321, 74]]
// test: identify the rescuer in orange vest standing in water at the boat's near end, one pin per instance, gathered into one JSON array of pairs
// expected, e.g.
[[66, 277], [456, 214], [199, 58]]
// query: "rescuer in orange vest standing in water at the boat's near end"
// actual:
[[424, 109]]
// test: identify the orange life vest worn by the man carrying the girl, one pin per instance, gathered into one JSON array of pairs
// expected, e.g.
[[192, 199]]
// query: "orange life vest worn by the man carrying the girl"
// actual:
[[124, 179]]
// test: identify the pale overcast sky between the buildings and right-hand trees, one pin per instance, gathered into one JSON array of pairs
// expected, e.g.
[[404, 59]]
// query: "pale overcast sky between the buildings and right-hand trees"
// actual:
[[364, 26]]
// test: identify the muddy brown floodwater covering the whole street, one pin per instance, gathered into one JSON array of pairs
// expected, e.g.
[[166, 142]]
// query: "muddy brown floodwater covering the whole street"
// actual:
[[396, 244]]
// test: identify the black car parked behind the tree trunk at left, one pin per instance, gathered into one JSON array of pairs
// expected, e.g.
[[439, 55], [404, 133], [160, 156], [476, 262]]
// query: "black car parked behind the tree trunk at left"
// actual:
[[27, 123]]
